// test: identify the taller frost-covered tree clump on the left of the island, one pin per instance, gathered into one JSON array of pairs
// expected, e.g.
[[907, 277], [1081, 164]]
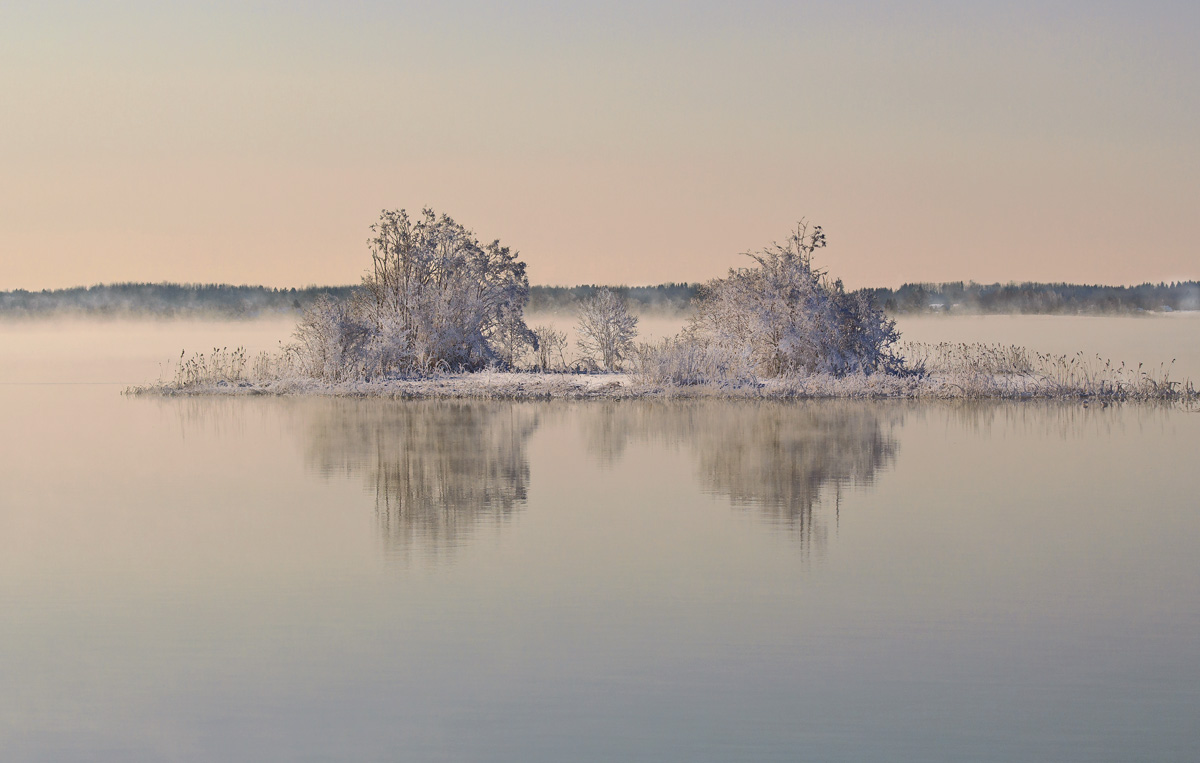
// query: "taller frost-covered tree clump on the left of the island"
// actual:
[[435, 298]]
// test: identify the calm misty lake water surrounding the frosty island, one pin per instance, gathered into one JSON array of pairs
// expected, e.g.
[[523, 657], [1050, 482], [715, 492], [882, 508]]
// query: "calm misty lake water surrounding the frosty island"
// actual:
[[325, 580]]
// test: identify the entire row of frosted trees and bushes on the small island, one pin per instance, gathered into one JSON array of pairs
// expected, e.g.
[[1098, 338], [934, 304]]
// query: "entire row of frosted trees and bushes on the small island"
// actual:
[[436, 299]]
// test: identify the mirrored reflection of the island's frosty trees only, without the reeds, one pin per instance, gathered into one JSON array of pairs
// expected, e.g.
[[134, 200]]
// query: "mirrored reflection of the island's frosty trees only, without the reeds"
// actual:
[[441, 468]]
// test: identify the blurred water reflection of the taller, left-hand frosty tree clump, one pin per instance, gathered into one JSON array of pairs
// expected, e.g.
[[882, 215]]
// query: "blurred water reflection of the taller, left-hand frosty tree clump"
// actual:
[[439, 468]]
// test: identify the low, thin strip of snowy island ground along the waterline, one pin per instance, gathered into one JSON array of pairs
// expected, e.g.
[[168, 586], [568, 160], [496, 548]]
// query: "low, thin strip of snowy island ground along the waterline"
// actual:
[[525, 386]]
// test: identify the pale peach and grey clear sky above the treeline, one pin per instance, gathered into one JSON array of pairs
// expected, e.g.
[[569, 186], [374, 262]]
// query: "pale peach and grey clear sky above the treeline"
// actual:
[[609, 143]]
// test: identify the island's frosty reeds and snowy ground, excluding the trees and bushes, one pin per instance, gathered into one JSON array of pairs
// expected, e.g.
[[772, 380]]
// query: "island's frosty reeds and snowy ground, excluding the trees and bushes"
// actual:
[[932, 371]]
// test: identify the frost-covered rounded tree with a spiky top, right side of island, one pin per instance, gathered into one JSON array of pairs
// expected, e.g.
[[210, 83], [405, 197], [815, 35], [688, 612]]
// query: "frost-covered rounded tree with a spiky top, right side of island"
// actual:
[[785, 316]]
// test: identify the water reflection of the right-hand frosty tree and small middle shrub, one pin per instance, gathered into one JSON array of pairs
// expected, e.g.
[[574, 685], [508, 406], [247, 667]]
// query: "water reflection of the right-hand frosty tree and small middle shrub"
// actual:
[[777, 458]]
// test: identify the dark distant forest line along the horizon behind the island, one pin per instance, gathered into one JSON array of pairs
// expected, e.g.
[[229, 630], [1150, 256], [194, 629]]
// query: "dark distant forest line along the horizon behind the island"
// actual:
[[188, 301]]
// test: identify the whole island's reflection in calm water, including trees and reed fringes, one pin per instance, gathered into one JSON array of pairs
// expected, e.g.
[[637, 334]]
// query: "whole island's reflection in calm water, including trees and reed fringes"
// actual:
[[441, 470]]
